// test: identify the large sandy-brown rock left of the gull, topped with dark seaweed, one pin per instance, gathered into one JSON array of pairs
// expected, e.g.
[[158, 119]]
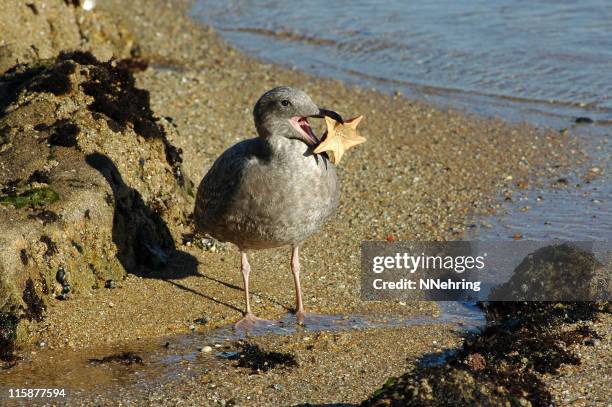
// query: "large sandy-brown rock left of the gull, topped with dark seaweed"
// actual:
[[85, 168]]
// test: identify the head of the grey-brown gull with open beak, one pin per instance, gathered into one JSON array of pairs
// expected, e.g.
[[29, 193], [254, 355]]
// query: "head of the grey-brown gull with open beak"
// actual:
[[285, 111]]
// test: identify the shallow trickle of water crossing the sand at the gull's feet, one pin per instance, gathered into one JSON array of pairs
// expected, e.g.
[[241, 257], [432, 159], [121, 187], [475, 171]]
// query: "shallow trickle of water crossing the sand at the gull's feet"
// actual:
[[179, 356]]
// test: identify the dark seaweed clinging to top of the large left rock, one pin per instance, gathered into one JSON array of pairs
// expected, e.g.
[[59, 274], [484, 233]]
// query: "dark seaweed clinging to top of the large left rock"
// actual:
[[115, 97]]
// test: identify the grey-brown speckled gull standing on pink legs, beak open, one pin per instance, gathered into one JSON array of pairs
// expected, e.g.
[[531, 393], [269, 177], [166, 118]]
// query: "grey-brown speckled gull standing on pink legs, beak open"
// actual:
[[272, 190]]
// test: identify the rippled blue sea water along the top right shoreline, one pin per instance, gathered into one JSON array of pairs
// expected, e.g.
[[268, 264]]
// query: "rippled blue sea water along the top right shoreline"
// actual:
[[556, 52]]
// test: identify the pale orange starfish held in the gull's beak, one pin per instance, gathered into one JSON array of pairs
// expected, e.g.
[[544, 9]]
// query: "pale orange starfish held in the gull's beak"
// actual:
[[339, 137]]
